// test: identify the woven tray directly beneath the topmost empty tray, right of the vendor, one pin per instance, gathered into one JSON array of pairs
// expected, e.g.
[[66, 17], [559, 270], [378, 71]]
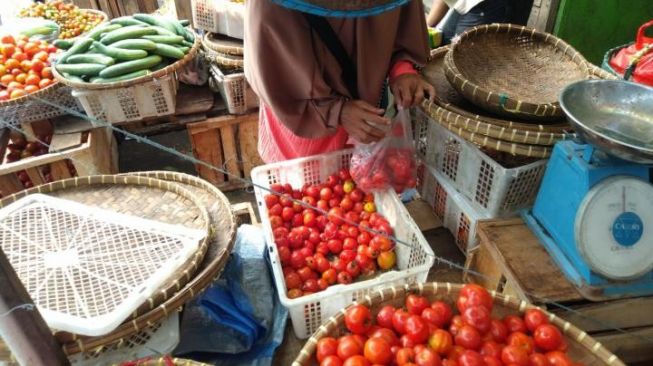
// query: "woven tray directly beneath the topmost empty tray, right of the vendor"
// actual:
[[449, 98]]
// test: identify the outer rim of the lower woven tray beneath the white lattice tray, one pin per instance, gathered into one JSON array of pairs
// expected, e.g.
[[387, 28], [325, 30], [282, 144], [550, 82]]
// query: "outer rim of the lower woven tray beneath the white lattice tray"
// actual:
[[202, 279]]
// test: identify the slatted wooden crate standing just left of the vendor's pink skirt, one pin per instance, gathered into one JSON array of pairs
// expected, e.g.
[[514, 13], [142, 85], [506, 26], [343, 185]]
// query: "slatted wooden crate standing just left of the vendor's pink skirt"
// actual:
[[228, 143]]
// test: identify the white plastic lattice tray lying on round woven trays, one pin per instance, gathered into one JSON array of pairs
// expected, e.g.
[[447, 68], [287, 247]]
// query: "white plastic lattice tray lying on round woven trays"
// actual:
[[87, 269]]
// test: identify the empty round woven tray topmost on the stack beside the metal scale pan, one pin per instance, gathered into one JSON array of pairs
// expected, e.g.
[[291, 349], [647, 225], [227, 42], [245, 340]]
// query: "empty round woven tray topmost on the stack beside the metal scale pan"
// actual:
[[514, 71]]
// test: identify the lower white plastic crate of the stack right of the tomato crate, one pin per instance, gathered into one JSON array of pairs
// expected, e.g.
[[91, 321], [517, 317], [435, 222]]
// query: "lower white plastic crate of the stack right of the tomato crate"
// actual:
[[453, 209]]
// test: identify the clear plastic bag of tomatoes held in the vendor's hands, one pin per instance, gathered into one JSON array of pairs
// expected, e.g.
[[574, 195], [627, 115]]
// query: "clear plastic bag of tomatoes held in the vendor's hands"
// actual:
[[389, 163]]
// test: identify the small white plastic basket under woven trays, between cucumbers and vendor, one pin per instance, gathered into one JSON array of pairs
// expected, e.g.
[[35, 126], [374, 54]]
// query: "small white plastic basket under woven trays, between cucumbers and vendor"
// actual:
[[235, 91]]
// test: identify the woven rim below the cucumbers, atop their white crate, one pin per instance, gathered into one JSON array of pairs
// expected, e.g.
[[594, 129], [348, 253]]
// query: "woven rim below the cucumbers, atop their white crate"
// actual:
[[139, 80]]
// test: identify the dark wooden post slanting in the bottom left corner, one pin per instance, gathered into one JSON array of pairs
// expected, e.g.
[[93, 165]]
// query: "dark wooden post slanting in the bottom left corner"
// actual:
[[25, 331]]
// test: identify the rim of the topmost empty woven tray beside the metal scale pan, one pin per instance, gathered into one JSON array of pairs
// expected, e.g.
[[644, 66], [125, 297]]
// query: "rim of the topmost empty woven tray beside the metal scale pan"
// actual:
[[543, 110]]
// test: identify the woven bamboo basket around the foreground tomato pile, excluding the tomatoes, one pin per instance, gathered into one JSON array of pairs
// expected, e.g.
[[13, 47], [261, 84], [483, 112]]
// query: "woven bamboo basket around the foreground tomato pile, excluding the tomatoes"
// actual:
[[582, 348]]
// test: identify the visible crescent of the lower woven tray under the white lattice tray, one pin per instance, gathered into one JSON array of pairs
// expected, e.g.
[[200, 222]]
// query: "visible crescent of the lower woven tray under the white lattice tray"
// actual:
[[223, 228]]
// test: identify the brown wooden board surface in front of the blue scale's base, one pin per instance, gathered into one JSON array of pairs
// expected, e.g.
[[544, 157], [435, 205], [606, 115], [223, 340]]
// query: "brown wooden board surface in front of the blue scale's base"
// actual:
[[515, 247]]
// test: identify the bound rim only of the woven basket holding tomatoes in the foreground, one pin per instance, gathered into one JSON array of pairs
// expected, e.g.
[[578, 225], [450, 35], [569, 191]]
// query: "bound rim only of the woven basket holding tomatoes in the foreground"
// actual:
[[388, 293]]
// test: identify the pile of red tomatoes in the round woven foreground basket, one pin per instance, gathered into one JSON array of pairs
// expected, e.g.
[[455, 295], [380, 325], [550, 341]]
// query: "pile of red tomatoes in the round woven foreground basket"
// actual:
[[425, 333]]
